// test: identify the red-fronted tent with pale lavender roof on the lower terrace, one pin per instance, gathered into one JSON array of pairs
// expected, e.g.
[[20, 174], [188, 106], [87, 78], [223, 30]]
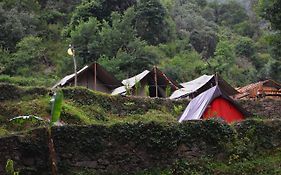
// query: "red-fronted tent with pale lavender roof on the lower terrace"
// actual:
[[214, 103]]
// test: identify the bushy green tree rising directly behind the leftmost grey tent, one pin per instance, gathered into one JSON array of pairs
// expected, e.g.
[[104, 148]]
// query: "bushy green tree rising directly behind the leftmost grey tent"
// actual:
[[93, 39]]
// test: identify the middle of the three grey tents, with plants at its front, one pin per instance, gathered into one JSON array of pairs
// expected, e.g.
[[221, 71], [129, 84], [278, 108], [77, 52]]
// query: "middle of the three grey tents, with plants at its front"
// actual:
[[152, 83]]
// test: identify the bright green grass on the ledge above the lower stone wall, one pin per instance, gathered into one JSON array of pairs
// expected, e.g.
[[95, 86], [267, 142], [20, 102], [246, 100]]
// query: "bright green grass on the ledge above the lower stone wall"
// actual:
[[81, 114]]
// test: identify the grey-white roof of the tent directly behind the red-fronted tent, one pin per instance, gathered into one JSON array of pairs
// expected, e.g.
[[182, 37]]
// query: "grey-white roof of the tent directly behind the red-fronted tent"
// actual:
[[201, 84]]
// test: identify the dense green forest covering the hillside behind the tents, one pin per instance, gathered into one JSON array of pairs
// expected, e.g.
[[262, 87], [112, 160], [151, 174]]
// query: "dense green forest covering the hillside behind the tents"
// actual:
[[185, 38]]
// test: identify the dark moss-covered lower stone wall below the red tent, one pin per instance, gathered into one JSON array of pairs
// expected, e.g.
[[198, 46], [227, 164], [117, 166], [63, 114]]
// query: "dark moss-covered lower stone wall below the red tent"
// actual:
[[127, 148]]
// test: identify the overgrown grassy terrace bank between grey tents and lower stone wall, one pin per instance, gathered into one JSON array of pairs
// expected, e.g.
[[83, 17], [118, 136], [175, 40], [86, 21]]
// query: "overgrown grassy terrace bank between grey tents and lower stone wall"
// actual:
[[82, 106]]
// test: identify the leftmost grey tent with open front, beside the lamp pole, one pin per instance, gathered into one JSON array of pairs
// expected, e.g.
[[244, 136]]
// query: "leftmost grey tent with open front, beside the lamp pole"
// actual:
[[93, 77]]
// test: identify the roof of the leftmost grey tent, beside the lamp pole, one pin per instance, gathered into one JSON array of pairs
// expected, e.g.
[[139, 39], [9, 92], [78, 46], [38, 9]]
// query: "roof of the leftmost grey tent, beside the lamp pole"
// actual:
[[103, 75]]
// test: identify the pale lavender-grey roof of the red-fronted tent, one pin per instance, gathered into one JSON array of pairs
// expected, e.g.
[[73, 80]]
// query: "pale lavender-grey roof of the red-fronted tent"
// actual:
[[198, 105]]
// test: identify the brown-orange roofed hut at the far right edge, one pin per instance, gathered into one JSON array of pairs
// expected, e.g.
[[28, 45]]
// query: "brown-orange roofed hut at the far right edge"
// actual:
[[262, 89]]
